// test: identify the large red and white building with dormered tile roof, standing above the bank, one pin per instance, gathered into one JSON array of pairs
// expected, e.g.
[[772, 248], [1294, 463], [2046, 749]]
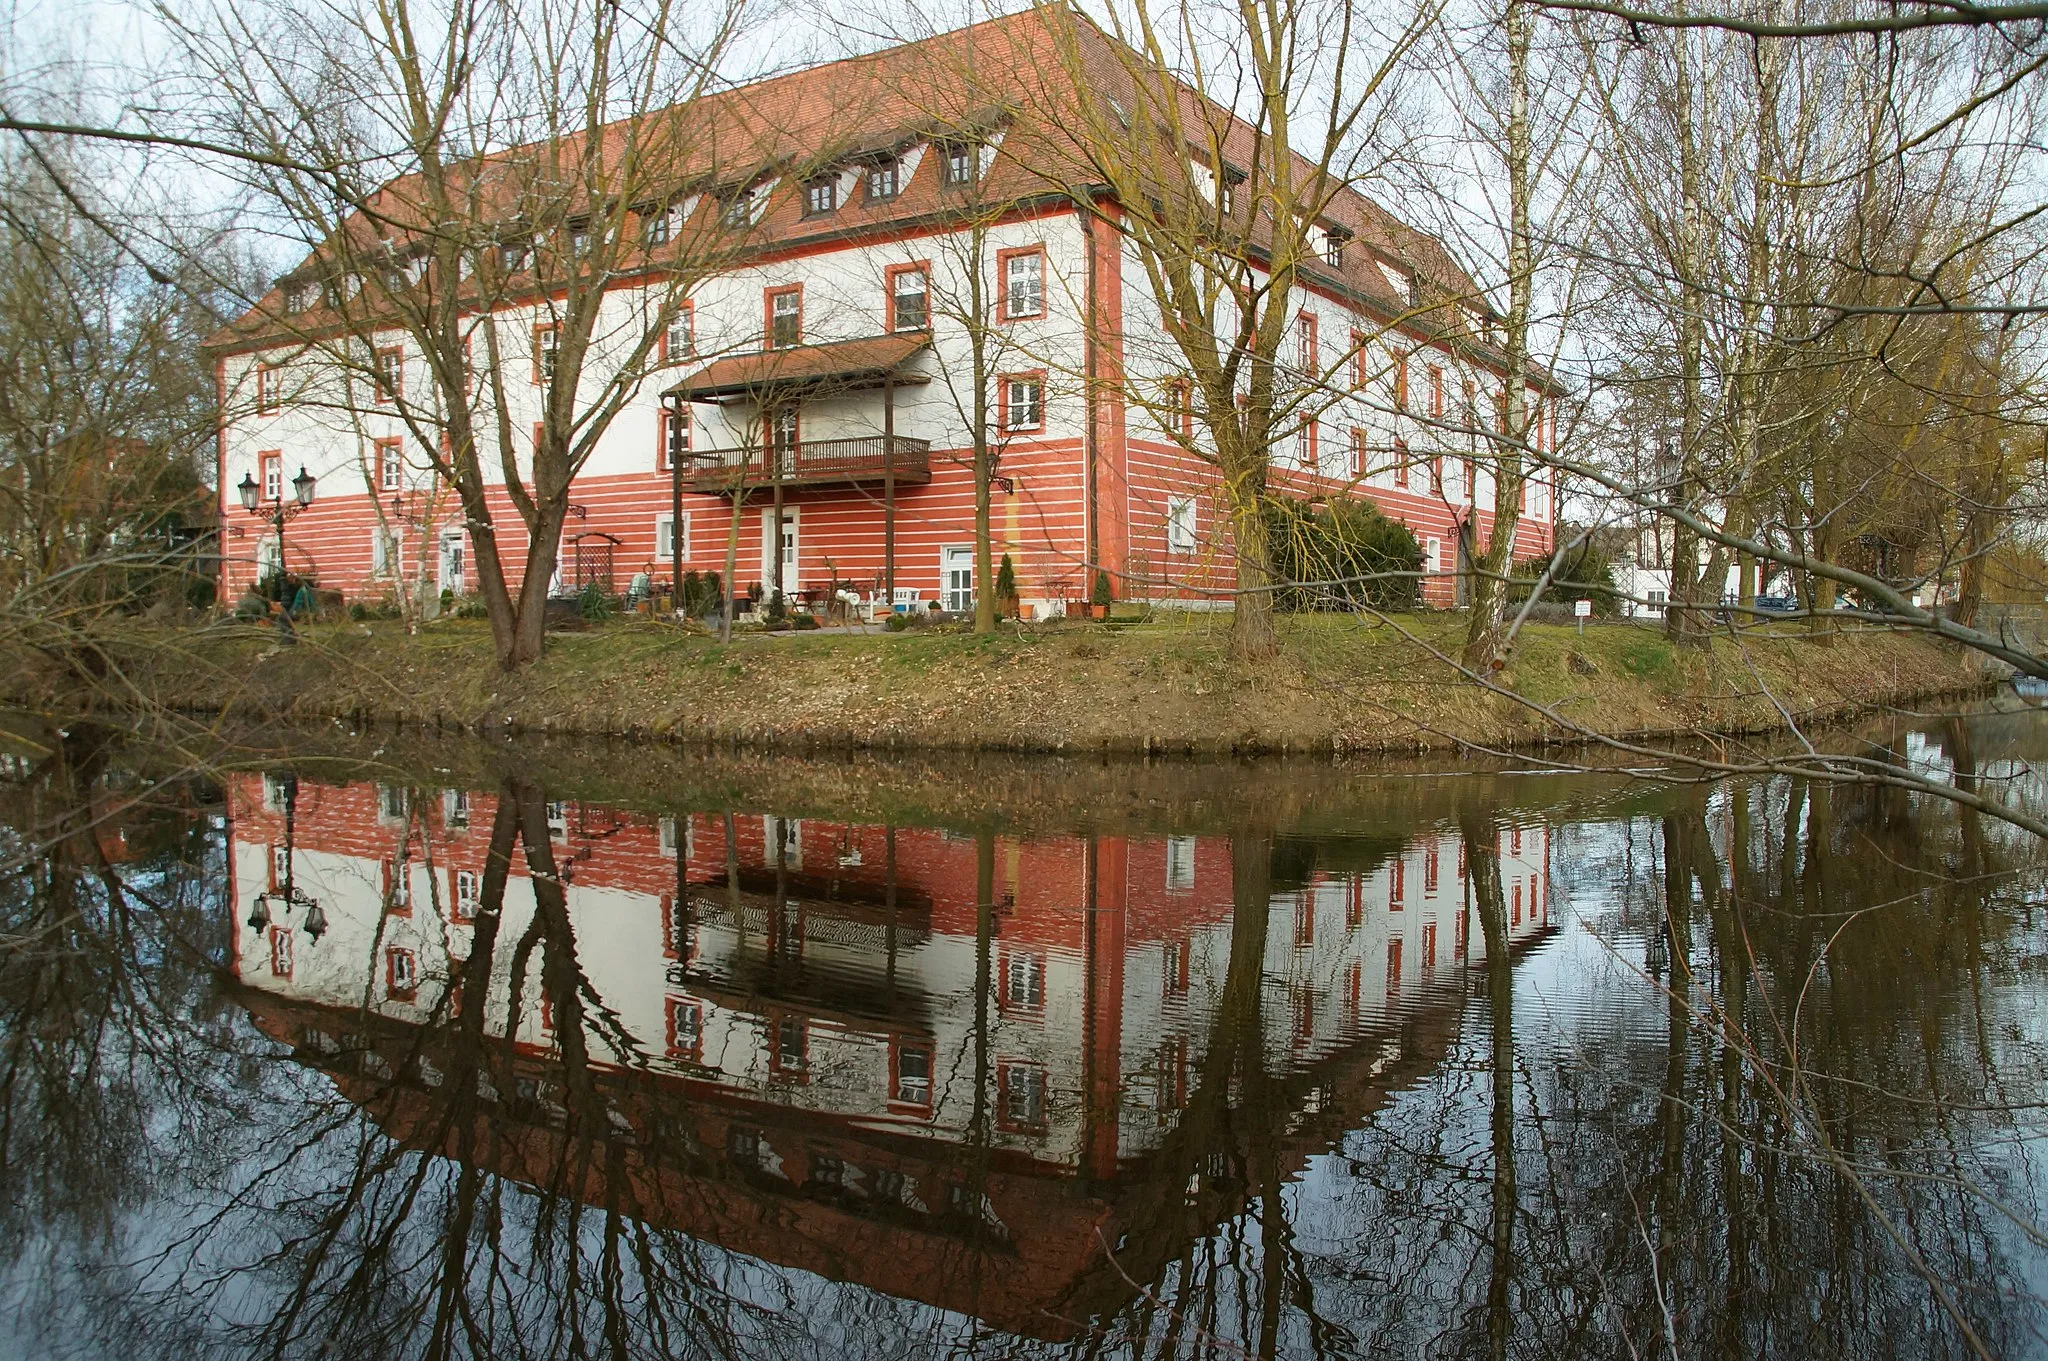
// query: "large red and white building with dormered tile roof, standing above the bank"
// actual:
[[833, 353]]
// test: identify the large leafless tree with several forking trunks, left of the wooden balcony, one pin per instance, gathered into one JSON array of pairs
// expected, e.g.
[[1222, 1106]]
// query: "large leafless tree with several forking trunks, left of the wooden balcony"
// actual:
[[517, 195]]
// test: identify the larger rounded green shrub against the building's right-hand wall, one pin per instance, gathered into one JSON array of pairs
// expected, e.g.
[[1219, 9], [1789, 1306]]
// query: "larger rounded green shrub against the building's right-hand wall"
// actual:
[[1349, 550]]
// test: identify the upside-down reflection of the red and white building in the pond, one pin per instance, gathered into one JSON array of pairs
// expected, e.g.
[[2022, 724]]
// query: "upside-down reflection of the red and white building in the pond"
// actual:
[[953, 1067]]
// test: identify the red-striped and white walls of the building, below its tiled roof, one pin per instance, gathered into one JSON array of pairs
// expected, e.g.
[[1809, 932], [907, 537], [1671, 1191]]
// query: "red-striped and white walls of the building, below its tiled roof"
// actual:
[[1095, 484]]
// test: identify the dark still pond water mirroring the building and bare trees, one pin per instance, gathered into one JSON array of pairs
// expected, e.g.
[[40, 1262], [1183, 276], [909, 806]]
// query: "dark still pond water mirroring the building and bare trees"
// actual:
[[364, 1049]]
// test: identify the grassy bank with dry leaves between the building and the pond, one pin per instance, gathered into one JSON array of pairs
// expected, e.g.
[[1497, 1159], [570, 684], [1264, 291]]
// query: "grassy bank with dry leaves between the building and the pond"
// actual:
[[1168, 687]]
